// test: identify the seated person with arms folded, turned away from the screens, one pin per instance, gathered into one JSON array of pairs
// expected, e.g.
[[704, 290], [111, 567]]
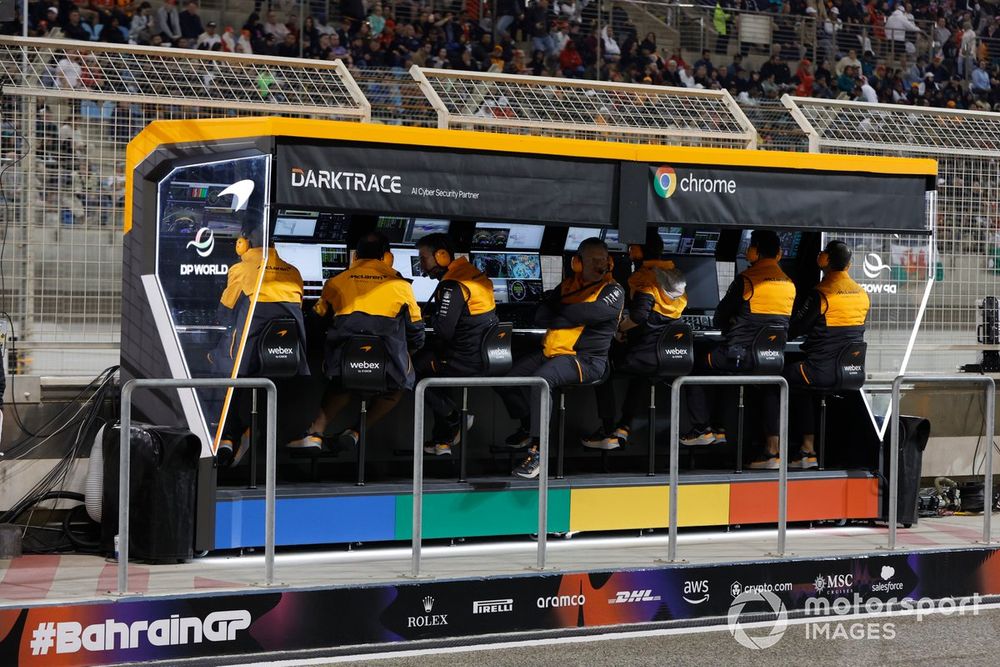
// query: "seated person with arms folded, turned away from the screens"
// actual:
[[581, 316]]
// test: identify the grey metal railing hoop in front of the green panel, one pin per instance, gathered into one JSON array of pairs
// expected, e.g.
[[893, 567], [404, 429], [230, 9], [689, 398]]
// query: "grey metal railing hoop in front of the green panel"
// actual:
[[545, 407]]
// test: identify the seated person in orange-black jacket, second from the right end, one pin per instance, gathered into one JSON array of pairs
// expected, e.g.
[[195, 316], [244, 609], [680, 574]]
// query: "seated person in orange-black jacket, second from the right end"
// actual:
[[760, 296]]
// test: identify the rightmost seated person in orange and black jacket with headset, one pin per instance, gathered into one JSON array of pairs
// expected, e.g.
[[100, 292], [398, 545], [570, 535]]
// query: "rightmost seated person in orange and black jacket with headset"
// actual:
[[831, 317]]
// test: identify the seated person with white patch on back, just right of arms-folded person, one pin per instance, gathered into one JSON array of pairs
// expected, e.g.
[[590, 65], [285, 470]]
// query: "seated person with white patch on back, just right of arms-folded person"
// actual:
[[657, 299]]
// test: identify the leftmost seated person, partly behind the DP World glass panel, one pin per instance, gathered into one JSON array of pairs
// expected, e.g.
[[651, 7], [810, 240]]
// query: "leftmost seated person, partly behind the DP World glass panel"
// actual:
[[280, 296]]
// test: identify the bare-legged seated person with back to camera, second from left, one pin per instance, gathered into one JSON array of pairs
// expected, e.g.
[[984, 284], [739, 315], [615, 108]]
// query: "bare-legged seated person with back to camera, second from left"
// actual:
[[369, 298]]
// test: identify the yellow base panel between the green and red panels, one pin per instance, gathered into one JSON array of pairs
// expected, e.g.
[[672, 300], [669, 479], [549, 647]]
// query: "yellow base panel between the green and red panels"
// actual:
[[623, 508]]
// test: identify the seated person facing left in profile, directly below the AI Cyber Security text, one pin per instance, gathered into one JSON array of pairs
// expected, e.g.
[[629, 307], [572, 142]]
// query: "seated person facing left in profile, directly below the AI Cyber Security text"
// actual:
[[461, 311]]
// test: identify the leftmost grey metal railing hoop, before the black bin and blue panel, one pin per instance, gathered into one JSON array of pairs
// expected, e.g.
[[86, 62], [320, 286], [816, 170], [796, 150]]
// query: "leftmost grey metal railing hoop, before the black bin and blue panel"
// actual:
[[125, 459]]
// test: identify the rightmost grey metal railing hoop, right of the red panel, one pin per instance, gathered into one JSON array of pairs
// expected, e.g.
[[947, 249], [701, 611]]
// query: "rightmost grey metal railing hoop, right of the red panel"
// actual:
[[989, 408]]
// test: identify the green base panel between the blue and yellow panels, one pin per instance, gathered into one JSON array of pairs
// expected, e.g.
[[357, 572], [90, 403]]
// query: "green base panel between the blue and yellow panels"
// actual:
[[482, 513]]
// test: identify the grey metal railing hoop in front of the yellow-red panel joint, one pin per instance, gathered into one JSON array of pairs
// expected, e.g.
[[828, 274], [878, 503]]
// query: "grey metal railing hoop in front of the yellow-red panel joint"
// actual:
[[675, 415]]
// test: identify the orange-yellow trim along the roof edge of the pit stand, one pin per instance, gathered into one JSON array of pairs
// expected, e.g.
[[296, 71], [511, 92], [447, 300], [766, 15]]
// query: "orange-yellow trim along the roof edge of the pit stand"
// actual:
[[219, 129]]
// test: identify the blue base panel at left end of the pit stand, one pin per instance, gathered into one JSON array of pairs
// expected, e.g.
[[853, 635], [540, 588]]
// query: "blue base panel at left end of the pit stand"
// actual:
[[240, 523]]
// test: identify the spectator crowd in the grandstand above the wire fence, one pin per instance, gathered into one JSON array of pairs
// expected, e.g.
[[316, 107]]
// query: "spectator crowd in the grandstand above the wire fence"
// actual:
[[943, 53]]
